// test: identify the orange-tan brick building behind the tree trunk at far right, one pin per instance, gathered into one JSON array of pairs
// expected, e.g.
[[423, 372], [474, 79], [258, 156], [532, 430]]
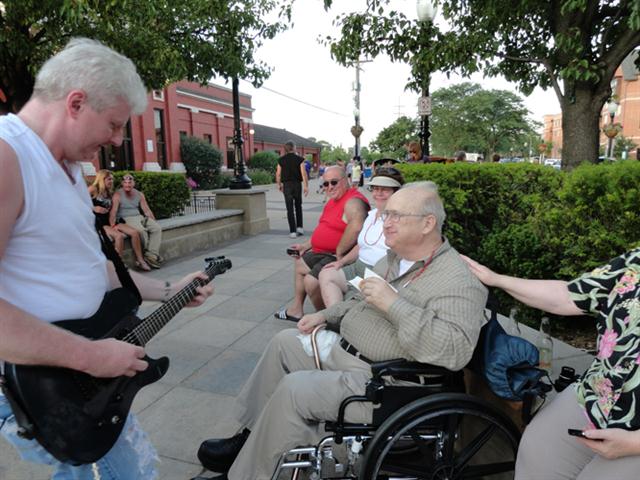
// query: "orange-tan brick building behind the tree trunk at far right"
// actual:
[[626, 88]]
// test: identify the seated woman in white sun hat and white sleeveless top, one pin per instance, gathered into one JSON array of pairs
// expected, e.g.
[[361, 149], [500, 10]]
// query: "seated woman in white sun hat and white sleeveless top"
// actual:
[[370, 248]]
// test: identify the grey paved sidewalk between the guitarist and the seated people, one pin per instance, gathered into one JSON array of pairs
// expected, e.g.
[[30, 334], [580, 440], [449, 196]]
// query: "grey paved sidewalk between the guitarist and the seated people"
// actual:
[[213, 348]]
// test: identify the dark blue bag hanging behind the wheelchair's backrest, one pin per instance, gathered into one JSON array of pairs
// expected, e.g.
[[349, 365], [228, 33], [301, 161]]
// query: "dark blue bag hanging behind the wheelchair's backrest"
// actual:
[[507, 363]]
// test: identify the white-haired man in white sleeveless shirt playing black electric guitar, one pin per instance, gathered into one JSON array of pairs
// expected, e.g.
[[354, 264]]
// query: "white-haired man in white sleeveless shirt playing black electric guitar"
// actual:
[[51, 264]]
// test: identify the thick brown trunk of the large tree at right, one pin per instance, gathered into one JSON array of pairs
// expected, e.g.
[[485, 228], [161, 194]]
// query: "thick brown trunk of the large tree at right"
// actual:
[[580, 126]]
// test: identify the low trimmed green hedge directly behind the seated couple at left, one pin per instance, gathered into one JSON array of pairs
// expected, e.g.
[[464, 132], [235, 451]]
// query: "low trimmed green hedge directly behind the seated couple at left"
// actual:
[[166, 193]]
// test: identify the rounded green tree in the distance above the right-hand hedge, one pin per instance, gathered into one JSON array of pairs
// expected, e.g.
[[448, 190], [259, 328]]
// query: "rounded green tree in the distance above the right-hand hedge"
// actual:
[[467, 117]]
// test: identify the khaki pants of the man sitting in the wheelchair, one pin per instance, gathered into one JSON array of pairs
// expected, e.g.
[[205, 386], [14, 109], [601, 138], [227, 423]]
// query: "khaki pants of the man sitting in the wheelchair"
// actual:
[[286, 398]]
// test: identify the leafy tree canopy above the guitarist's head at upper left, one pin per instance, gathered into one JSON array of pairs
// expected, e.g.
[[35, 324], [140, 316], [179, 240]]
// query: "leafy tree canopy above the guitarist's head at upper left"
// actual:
[[168, 40]]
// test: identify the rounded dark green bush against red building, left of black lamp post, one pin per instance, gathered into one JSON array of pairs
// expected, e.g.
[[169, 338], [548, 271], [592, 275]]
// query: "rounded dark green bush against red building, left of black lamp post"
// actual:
[[202, 161]]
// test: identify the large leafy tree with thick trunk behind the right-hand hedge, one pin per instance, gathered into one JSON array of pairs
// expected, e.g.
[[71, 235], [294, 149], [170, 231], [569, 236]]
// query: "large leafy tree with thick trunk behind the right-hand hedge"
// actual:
[[572, 46]]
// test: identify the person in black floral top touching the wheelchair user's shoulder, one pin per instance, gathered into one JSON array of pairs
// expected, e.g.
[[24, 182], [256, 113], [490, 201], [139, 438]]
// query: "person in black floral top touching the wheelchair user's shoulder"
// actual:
[[605, 403]]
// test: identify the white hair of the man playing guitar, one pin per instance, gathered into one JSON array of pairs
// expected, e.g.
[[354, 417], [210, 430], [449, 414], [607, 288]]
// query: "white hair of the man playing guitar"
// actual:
[[102, 73]]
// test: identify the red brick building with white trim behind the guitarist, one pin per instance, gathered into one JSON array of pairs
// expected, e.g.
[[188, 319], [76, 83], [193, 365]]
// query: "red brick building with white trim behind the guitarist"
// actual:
[[152, 140]]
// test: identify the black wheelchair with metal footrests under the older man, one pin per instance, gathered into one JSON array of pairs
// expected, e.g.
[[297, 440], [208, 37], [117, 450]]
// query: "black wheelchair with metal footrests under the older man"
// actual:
[[429, 428]]
